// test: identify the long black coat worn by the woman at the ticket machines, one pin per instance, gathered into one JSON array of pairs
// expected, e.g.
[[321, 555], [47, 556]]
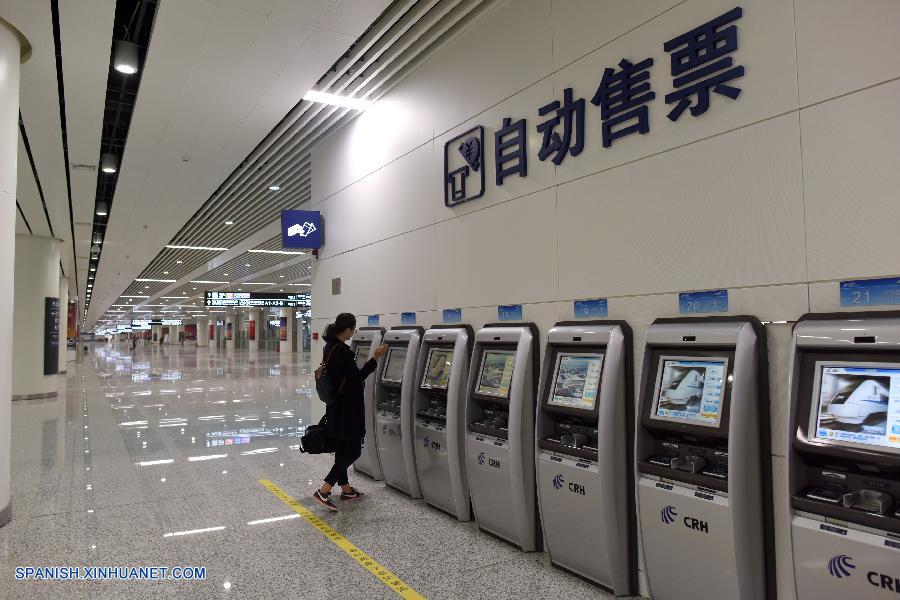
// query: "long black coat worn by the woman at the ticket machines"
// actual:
[[346, 416]]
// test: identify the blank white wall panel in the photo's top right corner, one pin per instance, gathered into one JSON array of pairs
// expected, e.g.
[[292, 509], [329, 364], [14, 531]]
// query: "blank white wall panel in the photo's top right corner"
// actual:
[[844, 46]]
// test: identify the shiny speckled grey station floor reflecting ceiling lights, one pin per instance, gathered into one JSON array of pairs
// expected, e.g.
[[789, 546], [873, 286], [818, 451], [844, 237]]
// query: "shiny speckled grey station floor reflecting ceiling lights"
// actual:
[[154, 459]]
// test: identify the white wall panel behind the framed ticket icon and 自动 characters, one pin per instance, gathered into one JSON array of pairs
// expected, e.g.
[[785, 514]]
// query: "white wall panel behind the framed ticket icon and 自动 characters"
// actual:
[[540, 174]]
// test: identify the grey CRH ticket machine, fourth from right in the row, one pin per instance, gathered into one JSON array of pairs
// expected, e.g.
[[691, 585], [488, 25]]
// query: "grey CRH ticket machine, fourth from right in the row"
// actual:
[[500, 407]]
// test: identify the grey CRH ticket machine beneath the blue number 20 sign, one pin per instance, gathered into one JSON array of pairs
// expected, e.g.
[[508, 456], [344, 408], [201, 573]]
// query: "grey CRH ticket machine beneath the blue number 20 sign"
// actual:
[[703, 460]]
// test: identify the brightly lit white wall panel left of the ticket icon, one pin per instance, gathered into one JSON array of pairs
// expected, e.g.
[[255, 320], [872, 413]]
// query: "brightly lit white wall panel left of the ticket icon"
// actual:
[[391, 201]]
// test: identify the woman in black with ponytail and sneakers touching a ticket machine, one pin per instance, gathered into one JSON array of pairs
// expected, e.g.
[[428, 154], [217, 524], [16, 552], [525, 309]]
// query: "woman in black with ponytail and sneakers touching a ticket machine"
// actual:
[[346, 415]]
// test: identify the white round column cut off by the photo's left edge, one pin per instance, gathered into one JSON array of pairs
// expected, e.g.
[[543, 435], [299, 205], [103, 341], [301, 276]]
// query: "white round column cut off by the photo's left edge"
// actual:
[[14, 49]]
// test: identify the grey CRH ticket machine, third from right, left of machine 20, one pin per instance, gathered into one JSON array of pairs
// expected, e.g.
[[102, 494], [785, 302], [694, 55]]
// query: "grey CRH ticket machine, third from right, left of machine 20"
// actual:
[[585, 437]]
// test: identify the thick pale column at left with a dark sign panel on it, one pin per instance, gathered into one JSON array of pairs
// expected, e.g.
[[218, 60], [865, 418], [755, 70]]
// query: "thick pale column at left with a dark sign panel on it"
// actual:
[[36, 285]]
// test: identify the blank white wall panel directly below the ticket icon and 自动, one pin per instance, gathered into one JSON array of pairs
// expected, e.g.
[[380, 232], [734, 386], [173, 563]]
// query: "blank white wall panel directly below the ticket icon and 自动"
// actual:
[[479, 256]]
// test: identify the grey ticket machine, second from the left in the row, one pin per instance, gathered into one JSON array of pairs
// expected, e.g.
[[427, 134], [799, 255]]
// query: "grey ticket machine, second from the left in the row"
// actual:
[[394, 398]]
